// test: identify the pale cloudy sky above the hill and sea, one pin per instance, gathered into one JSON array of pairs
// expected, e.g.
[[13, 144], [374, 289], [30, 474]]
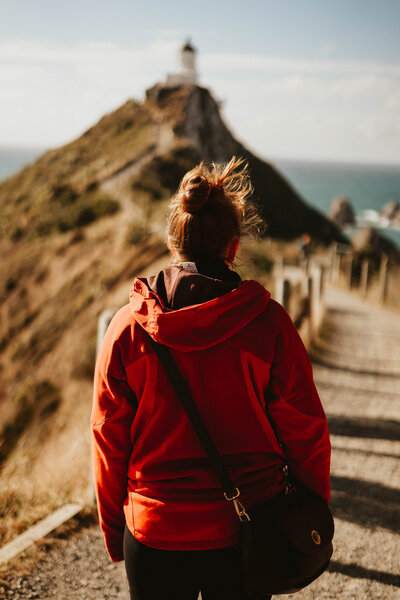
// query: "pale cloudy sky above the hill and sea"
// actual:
[[298, 79]]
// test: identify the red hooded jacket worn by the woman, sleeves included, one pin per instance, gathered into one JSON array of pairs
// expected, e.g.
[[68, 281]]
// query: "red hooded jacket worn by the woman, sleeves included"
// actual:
[[238, 351]]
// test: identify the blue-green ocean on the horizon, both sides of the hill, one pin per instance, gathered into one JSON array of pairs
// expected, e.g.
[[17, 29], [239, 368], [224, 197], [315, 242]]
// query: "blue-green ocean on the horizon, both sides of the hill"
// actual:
[[368, 187]]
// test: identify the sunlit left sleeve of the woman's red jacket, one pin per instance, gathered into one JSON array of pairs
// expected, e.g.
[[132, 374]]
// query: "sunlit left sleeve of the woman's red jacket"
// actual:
[[114, 407]]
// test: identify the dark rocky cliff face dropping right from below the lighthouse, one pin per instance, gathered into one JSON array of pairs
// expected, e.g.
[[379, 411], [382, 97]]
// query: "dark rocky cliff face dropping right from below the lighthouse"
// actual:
[[199, 122]]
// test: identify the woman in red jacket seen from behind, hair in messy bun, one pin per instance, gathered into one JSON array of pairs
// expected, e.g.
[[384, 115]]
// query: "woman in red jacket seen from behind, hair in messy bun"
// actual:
[[160, 504]]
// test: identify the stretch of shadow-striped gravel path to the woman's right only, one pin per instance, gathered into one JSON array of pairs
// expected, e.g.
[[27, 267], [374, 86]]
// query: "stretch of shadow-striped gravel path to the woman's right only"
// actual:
[[357, 372]]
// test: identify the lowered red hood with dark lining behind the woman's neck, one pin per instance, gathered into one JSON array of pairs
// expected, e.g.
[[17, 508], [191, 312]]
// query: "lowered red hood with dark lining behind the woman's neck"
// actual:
[[221, 309]]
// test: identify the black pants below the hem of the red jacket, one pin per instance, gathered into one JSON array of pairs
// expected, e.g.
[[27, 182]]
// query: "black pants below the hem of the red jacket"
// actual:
[[180, 575]]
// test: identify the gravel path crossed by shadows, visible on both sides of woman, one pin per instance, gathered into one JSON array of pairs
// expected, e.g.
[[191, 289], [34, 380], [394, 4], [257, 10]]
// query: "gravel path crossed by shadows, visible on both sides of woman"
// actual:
[[357, 371]]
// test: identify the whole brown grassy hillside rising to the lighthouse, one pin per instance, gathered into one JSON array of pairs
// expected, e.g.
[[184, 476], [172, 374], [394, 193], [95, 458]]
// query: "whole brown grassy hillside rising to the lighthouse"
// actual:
[[75, 227]]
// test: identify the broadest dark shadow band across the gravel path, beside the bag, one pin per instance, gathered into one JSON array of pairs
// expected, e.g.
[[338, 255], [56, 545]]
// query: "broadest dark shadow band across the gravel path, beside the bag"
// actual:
[[364, 503]]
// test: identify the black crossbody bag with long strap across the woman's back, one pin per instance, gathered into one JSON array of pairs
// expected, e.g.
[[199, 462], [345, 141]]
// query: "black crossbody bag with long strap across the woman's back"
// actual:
[[286, 542]]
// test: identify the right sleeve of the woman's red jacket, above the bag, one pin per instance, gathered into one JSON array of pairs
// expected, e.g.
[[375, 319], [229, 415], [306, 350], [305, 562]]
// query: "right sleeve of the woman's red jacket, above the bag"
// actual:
[[295, 408]]
